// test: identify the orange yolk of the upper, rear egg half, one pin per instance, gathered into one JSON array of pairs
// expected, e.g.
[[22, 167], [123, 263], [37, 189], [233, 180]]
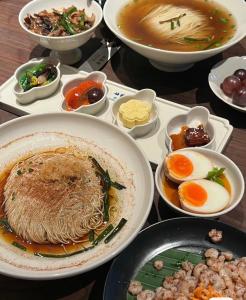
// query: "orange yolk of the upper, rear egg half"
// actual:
[[180, 165]]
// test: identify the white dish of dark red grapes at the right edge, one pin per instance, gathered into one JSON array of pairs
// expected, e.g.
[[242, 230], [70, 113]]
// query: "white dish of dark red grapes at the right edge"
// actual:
[[227, 80]]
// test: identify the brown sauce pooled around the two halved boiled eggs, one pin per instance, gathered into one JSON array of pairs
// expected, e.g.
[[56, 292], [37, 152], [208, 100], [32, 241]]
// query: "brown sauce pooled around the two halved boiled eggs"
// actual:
[[171, 189]]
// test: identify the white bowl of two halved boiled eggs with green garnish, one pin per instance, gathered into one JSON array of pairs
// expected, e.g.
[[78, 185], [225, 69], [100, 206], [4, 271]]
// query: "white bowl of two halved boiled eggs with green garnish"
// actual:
[[199, 182]]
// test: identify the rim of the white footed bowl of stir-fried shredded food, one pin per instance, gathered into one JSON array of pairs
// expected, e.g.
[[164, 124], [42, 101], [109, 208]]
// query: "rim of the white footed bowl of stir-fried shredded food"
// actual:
[[95, 25]]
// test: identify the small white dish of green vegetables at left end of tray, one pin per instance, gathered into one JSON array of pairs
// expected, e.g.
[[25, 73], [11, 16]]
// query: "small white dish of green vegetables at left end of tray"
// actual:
[[36, 79]]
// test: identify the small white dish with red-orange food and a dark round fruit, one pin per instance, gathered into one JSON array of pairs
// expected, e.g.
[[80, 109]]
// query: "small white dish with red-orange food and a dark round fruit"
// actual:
[[85, 94]]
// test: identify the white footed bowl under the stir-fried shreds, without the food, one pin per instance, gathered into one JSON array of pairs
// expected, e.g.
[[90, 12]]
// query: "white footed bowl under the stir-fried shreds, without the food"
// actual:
[[65, 48]]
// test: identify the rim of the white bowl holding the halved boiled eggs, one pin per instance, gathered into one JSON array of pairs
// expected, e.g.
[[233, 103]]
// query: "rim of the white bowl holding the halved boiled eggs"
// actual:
[[212, 215]]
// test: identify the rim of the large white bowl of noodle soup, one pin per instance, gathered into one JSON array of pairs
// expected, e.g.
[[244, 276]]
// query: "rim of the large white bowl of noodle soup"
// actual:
[[228, 44]]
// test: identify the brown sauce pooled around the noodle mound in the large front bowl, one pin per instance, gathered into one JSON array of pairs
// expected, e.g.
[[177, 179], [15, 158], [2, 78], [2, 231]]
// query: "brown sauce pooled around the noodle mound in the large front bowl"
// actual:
[[10, 237]]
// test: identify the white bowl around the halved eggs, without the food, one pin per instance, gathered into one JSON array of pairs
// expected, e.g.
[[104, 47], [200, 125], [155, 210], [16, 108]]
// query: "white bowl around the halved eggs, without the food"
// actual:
[[232, 172]]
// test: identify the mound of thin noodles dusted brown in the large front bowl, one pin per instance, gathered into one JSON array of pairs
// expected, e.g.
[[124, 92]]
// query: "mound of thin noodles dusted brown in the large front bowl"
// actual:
[[53, 198]]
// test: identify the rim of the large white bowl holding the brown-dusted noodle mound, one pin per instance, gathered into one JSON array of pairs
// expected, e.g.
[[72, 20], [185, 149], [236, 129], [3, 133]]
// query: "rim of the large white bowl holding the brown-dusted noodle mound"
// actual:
[[69, 272]]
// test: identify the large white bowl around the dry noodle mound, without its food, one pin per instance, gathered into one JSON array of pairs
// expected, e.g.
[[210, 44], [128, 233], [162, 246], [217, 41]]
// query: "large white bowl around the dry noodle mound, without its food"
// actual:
[[115, 150]]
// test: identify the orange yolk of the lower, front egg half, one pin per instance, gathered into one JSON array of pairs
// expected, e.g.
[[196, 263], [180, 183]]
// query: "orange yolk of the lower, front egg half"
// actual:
[[195, 194]]
